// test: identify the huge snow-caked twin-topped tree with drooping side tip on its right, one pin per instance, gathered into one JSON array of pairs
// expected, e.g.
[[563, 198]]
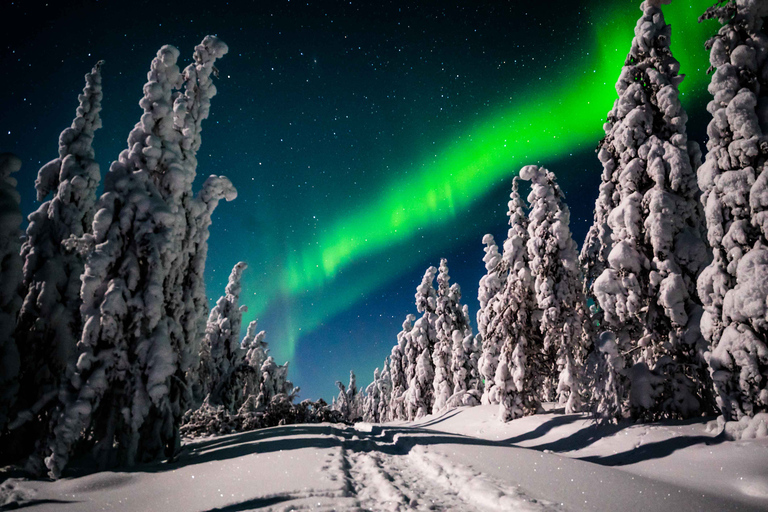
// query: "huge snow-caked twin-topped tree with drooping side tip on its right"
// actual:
[[143, 275]]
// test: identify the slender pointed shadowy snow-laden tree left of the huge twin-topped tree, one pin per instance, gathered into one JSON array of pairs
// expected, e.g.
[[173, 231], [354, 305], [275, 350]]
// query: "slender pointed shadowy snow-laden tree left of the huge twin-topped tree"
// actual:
[[49, 320]]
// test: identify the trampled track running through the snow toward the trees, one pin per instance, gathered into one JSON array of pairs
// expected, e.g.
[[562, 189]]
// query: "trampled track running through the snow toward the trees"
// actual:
[[373, 480]]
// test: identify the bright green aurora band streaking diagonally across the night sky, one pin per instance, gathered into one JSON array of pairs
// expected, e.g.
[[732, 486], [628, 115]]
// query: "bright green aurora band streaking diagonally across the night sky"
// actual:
[[542, 126]]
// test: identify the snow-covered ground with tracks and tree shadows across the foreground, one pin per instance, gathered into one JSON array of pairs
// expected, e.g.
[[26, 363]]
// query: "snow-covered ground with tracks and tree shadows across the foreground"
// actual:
[[462, 460]]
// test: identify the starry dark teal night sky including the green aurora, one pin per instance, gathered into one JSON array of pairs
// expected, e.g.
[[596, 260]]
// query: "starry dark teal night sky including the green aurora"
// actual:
[[366, 139]]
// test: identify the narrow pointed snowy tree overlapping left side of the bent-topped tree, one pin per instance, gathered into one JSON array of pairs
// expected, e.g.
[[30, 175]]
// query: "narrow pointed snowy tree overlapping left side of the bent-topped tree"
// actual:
[[517, 379]]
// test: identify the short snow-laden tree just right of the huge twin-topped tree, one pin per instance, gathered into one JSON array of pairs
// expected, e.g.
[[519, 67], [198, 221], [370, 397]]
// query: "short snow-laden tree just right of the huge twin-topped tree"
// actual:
[[221, 355]]
